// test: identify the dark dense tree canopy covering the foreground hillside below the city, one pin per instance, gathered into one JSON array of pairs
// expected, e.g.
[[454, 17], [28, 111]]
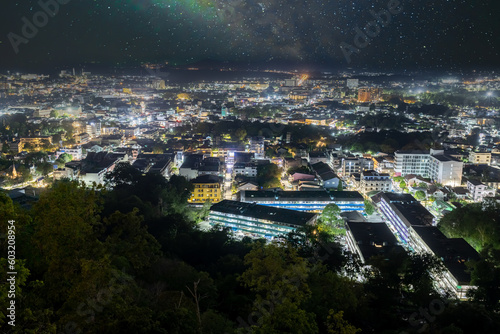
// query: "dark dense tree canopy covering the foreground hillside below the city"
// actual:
[[130, 258]]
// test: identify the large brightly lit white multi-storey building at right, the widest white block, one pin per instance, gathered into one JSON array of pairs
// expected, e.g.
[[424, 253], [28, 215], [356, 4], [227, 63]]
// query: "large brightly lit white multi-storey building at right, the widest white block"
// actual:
[[433, 164]]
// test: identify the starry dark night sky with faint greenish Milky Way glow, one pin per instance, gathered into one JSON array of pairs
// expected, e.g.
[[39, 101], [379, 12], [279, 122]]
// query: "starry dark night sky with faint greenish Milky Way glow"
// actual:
[[422, 34]]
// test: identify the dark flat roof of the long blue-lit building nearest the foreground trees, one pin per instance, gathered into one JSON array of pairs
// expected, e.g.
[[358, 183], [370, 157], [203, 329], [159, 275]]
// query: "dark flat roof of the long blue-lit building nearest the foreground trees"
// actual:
[[281, 216]]
